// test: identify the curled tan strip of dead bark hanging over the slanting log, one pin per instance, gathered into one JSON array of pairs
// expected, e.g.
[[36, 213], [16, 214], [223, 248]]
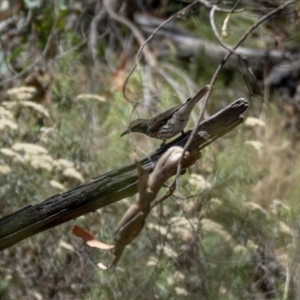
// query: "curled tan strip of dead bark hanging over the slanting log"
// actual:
[[133, 221]]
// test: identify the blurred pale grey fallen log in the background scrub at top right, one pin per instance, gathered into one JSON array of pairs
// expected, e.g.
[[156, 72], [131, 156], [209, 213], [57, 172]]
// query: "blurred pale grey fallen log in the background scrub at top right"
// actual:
[[189, 45]]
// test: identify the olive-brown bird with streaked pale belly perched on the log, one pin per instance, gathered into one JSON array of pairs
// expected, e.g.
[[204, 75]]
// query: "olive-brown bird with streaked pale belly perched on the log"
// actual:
[[169, 123]]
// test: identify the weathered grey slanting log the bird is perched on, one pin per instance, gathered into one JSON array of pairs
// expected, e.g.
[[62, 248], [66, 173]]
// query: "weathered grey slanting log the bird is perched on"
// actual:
[[111, 186]]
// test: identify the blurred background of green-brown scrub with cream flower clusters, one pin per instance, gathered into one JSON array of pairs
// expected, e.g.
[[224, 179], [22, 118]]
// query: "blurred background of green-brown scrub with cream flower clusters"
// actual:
[[231, 229]]
